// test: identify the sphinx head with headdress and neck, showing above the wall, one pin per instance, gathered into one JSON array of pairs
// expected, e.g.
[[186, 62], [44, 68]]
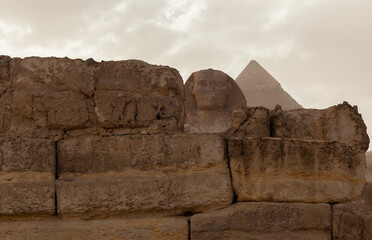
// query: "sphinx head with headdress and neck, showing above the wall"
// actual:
[[211, 95]]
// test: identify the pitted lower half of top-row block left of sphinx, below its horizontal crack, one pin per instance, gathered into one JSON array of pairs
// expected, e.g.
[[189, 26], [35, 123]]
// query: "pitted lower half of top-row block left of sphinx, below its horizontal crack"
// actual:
[[120, 109]]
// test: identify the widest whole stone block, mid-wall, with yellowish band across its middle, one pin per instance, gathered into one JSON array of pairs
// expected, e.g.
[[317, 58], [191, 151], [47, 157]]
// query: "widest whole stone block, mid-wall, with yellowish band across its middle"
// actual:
[[160, 174]]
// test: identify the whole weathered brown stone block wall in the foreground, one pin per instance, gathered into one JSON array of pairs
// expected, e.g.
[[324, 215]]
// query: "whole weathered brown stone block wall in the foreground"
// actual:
[[97, 151]]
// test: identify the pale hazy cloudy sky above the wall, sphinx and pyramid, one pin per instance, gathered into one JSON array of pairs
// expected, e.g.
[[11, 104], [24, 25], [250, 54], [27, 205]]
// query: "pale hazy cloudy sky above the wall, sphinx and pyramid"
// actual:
[[319, 50]]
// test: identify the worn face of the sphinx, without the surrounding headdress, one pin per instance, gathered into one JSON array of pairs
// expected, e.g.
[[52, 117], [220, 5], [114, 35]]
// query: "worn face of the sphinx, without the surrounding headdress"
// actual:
[[210, 90]]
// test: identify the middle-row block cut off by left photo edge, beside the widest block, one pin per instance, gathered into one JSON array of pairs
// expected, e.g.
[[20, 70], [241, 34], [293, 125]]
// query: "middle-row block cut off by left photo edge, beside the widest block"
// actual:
[[27, 169]]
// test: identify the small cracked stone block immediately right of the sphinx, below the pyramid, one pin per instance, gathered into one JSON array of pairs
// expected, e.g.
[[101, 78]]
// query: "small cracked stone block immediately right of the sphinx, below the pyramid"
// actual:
[[250, 122]]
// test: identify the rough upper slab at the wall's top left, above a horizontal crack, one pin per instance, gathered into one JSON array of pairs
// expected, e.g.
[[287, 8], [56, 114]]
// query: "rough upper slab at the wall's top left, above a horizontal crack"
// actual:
[[55, 74]]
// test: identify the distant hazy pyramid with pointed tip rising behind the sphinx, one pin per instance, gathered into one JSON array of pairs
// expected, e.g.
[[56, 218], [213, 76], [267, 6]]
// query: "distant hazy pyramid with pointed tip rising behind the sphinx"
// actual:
[[261, 89]]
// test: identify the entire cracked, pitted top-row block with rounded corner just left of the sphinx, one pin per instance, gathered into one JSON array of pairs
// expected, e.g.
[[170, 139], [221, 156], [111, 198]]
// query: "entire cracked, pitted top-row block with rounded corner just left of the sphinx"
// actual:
[[136, 94]]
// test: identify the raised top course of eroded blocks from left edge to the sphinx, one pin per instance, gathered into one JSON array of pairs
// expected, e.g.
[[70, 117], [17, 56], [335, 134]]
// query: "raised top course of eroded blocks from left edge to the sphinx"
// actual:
[[56, 98]]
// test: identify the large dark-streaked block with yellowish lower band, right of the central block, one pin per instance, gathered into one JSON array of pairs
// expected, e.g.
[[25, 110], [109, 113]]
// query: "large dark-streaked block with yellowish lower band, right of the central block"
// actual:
[[272, 169]]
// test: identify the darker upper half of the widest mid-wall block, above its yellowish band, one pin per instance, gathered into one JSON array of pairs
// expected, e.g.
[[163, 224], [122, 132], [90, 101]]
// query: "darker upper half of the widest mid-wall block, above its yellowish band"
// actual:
[[141, 152]]
